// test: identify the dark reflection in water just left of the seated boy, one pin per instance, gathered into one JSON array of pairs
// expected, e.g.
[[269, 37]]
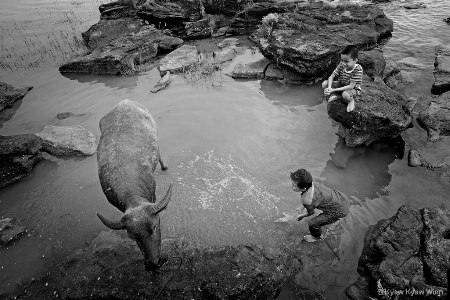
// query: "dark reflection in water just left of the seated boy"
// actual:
[[289, 95]]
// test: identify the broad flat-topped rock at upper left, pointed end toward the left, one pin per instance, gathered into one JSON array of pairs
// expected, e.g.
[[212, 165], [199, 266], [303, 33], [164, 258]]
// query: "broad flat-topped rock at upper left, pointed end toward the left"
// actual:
[[120, 48]]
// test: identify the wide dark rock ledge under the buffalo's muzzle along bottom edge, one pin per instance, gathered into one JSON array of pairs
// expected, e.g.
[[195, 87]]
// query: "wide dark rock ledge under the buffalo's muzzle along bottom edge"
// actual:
[[111, 267]]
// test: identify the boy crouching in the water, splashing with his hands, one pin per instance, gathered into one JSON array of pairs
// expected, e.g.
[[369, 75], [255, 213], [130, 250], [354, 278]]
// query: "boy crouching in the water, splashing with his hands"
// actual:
[[333, 204]]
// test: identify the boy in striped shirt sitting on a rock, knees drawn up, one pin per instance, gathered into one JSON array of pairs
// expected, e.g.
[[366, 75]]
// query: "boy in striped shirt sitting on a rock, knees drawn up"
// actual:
[[346, 79]]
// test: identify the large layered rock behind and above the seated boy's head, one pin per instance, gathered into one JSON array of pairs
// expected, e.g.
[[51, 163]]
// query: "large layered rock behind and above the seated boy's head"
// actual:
[[310, 41]]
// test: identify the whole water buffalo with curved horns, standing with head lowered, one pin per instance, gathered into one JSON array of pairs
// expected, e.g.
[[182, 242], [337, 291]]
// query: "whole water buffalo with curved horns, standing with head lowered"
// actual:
[[128, 154]]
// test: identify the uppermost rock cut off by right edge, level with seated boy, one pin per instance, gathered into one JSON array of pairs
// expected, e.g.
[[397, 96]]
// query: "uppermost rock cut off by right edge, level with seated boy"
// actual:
[[441, 70]]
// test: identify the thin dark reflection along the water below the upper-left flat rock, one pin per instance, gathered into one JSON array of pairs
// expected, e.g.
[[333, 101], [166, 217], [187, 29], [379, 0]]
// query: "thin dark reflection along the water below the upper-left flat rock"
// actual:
[[120, 82]]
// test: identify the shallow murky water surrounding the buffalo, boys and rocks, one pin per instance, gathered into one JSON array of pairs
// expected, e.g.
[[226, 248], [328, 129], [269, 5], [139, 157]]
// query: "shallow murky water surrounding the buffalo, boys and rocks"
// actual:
[[229, 149]]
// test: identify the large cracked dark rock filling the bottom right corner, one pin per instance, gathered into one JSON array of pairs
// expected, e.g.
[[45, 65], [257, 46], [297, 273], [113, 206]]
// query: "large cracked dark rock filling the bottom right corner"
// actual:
[[407, 254]]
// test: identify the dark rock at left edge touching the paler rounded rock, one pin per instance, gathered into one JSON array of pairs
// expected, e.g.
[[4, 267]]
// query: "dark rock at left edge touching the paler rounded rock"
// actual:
[[18, 155]]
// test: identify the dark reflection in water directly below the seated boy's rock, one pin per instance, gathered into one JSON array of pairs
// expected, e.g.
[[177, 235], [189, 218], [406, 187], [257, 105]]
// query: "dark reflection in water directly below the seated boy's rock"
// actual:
[[362, 171]]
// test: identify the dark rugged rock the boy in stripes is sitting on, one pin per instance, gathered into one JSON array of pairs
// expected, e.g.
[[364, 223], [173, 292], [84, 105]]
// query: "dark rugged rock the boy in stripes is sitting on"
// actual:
[[379, 113]]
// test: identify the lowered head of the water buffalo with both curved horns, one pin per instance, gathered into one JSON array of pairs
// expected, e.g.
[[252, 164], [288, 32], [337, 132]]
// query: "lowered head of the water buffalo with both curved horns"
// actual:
[[143, 225]]
